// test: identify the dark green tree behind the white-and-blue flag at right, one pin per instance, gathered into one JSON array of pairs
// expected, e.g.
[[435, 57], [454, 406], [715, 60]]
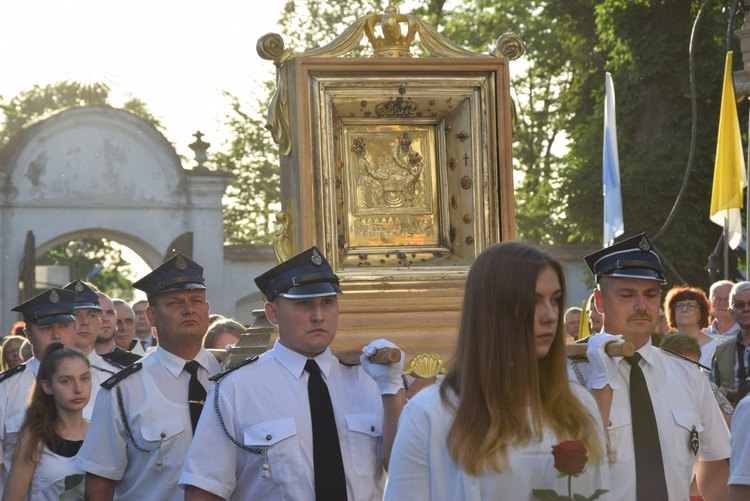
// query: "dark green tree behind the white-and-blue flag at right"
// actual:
[[646, 46]]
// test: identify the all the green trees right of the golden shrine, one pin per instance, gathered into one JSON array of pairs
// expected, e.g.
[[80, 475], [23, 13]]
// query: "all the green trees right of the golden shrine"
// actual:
[[559, 93]]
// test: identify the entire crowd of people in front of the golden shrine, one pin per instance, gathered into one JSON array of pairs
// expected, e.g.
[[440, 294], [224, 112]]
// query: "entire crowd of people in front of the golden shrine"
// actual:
[[128, 401]]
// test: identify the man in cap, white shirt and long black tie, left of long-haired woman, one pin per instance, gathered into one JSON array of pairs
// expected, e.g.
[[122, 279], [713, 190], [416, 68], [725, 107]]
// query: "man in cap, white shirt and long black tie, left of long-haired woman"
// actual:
[[260, 428]]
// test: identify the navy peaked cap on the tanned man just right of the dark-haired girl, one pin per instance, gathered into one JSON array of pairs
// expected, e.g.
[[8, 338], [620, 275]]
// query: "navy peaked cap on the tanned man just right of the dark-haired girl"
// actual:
[[176, 273]]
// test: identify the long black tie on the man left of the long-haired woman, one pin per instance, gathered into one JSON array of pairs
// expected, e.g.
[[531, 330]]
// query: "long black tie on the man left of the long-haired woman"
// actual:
[[330, 482]]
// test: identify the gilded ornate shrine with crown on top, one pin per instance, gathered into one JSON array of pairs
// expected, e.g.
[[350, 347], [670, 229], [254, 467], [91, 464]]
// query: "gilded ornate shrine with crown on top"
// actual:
[[398, 167]]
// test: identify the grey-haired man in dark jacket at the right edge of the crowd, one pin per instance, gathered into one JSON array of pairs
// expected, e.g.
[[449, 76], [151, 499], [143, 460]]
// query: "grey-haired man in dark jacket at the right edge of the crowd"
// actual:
[[730, 367]]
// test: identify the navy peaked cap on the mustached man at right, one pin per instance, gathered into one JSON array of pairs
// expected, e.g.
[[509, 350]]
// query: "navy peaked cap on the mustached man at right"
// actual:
[[634, 257]]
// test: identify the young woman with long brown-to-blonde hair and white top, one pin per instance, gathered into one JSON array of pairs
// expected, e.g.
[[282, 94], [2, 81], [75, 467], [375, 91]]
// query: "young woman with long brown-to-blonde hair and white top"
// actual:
[[487, 431]]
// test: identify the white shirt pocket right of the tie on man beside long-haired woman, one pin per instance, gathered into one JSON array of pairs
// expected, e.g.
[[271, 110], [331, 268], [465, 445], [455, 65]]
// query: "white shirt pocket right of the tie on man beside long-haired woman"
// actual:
[[365, 439]]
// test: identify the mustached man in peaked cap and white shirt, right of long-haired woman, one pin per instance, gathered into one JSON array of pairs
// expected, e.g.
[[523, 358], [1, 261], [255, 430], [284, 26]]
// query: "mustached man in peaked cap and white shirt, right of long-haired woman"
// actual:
[[687, 432]]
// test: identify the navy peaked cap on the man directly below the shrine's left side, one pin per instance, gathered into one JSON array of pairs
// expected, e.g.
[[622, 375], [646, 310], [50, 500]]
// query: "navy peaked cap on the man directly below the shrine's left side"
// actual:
[[307, 274]]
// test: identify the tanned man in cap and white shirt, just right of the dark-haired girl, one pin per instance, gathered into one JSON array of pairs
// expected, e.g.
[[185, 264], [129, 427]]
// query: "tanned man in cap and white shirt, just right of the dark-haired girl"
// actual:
[[144, 416]]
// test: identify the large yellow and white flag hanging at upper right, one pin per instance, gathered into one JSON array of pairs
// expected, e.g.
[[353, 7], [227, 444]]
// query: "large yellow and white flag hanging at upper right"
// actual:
[[729, 171]]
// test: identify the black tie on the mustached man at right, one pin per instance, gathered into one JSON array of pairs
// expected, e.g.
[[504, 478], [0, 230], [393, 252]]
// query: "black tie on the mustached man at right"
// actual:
[[650, 482]]
